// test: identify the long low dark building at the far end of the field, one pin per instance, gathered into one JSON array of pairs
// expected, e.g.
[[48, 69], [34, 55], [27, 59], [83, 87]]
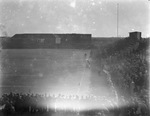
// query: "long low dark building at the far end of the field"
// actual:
[[35, 41]]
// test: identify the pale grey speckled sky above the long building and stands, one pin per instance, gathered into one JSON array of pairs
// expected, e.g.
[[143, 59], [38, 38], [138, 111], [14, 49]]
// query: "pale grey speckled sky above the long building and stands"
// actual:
[[97, 17]]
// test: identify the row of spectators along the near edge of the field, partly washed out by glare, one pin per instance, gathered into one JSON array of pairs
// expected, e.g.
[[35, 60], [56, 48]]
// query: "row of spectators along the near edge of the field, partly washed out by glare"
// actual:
[[15, 102]]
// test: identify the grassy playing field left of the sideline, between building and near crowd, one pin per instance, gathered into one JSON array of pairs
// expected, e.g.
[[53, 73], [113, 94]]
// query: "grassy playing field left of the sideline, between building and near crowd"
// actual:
[[41, 70]]
